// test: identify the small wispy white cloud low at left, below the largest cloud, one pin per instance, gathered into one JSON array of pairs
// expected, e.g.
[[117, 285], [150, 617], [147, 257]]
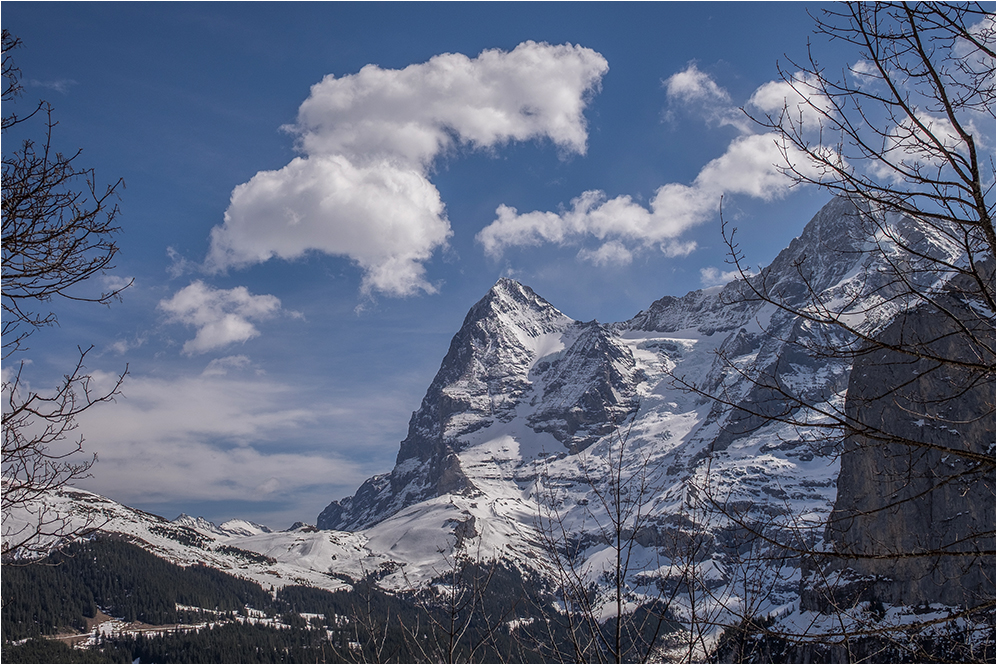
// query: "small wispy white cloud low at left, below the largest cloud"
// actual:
[[221, 316]]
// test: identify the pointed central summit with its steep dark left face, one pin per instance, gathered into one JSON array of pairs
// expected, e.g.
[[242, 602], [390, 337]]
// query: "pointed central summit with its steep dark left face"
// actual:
[[483, 380]]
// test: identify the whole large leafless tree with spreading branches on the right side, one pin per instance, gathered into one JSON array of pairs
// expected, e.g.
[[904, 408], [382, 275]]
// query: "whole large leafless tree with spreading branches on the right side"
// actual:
[[906, 136]]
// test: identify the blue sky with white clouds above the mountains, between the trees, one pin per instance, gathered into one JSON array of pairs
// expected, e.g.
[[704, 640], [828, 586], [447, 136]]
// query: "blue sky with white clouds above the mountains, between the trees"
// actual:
[[302, 255]]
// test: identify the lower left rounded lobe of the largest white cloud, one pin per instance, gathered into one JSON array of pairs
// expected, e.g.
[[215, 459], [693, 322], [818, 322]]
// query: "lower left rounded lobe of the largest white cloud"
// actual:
[[388, 219]]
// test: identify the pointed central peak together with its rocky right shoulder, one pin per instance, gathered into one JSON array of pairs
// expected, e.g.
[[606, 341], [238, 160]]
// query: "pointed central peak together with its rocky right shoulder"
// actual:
[[513, 348]]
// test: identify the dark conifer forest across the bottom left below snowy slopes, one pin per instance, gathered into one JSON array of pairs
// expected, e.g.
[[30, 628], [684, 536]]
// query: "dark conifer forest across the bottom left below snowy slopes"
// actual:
[[201, 615]]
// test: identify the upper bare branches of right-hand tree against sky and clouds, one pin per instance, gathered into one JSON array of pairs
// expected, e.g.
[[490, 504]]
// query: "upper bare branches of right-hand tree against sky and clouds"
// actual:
[[906, 129]]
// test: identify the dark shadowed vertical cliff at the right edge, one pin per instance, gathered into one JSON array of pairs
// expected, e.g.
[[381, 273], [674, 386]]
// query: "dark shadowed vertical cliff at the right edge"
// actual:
[[914, 516]]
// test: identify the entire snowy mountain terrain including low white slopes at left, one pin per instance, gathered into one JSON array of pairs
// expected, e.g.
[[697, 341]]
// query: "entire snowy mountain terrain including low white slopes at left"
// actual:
[[660, 457]]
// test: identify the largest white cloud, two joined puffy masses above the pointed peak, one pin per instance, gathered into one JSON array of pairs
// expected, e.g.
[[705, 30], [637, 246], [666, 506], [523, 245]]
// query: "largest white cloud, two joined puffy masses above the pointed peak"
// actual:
[[361, 187]]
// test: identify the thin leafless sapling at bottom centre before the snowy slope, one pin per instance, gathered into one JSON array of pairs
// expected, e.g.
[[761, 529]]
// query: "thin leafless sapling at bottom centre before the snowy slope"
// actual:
[[619, 611]]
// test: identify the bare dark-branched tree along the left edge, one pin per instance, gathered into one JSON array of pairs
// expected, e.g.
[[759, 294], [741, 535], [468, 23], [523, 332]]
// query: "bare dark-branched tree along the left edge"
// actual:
[[58, 230]]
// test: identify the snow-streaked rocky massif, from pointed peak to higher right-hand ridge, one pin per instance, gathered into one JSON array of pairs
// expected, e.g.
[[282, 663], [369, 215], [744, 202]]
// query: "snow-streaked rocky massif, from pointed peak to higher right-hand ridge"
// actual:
[[528, 399]]
